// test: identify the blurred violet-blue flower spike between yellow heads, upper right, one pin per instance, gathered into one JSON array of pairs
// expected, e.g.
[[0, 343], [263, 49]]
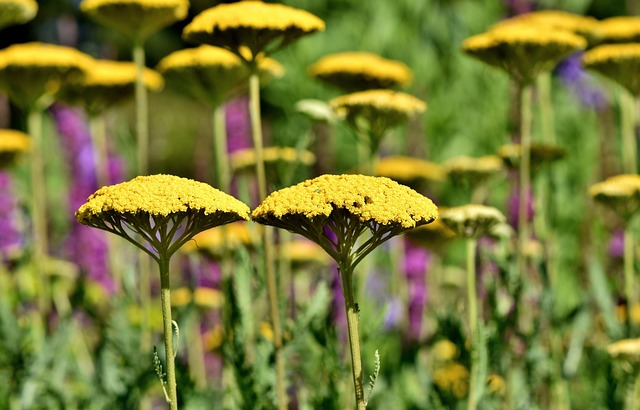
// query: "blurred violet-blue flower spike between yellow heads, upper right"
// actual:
[[571, 72]]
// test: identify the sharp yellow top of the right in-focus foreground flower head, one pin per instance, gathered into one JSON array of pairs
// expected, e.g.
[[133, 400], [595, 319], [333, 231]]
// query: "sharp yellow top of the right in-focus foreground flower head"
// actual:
[[371, 199]]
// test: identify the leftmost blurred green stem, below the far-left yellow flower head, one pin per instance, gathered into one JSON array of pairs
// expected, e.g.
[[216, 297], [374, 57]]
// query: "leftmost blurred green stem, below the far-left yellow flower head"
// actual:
[[39, 208]]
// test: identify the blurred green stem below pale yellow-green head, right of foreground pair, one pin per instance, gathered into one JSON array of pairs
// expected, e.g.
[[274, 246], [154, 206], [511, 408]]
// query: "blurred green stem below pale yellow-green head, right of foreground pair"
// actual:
[[472, 301]]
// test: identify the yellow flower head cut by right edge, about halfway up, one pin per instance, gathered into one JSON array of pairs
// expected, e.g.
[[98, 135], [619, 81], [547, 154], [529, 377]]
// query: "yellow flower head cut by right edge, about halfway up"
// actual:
[[621, 193]]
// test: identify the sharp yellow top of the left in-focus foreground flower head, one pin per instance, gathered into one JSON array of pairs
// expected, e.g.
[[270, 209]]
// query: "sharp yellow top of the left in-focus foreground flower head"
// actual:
[[160, 195]]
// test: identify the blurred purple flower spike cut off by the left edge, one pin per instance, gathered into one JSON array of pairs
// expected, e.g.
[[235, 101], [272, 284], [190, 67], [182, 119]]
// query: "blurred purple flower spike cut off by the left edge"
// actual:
[[10, 238]]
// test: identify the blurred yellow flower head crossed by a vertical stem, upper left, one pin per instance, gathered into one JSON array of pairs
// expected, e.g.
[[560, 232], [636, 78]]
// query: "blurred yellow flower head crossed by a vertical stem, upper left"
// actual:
[[108, 83]]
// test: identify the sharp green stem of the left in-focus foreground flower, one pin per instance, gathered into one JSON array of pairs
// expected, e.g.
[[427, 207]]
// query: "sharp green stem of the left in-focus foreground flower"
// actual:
[[165, 295]]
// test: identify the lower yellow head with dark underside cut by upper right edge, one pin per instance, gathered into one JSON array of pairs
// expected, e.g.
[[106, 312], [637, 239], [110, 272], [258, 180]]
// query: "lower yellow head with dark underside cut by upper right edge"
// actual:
[[619, 62]]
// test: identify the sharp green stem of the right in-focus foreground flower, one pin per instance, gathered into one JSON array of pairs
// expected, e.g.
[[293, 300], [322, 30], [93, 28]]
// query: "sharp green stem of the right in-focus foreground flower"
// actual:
[[346, 274]]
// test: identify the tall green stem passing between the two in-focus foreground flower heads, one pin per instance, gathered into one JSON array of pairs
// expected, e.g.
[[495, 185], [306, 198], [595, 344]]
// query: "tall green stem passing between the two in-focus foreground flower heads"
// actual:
[[267, 232]]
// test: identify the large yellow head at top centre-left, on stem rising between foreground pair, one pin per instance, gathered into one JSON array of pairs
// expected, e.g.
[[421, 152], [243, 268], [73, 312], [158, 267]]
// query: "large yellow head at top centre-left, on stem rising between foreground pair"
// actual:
[[259, 27]]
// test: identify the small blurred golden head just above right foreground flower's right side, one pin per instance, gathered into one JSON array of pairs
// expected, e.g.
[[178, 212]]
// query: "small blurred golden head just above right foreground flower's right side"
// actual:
[[408, 169]]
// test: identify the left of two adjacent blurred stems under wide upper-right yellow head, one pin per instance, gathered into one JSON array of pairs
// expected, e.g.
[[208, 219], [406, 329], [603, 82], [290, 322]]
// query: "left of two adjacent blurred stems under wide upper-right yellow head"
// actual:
[[525, 176]]
